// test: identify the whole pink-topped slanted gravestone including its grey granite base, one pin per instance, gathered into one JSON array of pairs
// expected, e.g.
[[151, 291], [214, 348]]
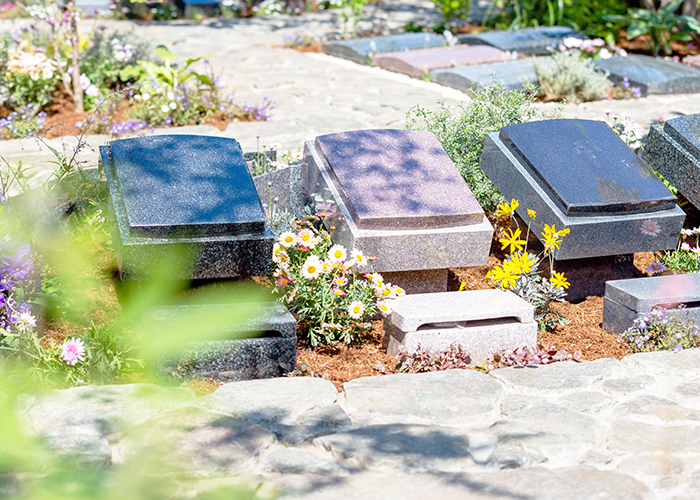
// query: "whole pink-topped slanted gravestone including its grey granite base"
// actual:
[[396, 195]]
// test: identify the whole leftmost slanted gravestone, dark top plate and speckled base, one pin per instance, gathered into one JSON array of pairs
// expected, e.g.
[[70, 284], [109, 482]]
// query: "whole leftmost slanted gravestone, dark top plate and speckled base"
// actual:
[[186, 195]]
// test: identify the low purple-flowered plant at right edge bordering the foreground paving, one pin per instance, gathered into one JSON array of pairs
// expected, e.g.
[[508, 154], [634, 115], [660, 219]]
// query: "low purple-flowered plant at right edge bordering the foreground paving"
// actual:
[[660, 330]]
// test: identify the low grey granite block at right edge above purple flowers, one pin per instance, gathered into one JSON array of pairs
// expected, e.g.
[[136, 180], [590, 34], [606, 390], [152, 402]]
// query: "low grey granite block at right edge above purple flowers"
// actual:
[[627, 300]]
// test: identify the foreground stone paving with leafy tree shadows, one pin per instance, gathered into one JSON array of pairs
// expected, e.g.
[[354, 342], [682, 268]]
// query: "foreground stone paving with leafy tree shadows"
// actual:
[[602, 429]]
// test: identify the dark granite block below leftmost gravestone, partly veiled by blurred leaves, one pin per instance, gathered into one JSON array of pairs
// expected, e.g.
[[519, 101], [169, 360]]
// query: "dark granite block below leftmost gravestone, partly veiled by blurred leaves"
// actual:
[[232, 356]]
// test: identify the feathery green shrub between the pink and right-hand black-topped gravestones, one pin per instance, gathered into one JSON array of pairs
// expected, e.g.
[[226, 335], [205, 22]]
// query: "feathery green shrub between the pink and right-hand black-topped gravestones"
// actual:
[[462, 129]]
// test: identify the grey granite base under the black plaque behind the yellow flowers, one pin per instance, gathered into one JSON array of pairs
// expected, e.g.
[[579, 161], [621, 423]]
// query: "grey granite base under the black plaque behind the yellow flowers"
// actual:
[[590, 236]]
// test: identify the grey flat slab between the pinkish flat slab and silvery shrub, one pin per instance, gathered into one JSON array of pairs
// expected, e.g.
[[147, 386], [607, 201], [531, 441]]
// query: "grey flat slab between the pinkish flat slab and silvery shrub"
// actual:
[[512, 74]]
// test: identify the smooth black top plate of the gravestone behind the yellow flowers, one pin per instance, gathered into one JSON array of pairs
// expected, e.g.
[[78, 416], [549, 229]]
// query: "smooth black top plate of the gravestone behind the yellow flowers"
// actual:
[[586, 168]]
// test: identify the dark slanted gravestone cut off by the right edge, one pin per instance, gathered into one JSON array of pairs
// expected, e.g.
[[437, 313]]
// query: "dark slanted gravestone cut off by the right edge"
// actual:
[[672, 148]]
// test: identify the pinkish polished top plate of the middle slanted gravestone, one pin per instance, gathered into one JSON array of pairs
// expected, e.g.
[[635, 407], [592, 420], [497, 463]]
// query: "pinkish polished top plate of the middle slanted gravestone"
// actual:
[[398, 179]]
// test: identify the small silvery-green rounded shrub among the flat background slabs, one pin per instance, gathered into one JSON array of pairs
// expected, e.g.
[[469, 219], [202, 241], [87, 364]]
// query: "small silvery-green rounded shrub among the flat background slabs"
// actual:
[[571, 77]]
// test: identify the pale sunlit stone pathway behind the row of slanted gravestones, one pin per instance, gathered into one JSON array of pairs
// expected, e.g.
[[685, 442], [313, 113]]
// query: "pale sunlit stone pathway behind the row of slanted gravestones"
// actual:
[[314, 94]]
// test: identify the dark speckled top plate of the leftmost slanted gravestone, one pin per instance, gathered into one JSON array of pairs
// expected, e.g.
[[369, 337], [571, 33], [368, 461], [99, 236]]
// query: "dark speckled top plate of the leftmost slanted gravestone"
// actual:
[[186, 186]]
